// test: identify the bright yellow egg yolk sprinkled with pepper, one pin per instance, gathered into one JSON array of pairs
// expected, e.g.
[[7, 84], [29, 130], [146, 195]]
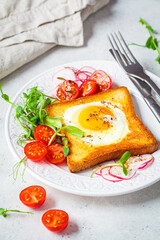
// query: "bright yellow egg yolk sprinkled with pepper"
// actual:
[[93, 118]]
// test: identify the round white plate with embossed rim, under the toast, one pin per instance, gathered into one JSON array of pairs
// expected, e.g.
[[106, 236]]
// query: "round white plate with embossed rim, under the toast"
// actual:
[[59, 177]]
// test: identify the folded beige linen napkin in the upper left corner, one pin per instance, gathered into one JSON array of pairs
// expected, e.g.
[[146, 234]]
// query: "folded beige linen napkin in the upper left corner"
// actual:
[[30, 28]]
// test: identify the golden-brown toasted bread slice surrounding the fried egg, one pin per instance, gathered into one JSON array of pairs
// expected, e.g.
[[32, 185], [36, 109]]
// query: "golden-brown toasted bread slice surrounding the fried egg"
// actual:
[[138, 139]]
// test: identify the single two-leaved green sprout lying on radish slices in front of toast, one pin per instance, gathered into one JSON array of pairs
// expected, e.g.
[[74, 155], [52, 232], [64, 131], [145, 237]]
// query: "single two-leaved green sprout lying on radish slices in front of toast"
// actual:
[[120, 163]]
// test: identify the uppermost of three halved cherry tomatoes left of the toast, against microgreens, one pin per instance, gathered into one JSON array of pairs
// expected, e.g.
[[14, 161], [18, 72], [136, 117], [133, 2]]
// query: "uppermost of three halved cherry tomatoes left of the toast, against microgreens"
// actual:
[[43, 133]]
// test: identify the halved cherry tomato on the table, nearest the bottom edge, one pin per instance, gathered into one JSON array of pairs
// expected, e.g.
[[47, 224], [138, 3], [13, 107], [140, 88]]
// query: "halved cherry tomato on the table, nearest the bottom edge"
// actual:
[[55, 220]]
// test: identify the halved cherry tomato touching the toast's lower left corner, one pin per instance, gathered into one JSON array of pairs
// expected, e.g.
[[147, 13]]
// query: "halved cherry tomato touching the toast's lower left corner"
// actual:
[[55, 153]]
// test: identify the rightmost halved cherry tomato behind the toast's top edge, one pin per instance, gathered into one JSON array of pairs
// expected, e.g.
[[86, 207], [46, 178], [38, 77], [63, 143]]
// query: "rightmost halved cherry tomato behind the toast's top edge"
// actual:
[[102, 79]]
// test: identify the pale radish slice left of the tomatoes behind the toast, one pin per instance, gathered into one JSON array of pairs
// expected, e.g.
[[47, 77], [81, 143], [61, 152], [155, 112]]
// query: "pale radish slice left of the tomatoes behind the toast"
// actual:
[[65, 73]]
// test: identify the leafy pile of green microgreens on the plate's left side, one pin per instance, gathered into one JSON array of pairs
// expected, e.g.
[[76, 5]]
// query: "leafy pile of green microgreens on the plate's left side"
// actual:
[[32, 113]]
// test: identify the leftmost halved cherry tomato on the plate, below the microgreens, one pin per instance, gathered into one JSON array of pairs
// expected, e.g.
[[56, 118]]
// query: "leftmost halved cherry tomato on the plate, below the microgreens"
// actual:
[[35, 151]]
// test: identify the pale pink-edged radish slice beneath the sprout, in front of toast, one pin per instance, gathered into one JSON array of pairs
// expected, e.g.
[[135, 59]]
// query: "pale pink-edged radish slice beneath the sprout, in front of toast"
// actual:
[[117, 172]]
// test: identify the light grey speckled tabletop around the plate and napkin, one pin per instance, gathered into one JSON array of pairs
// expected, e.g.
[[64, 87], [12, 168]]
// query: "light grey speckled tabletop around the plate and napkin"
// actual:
[[132, 216]]
